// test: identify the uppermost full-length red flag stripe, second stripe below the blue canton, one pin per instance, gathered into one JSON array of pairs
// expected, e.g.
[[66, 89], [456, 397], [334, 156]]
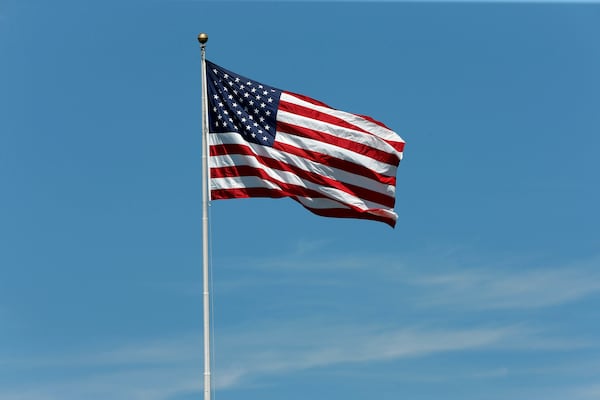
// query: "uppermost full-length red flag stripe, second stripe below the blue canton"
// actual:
[[315, 178]]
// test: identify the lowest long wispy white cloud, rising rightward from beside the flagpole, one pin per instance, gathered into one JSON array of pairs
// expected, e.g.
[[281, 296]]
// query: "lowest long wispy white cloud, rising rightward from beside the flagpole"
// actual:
[[322, 347]]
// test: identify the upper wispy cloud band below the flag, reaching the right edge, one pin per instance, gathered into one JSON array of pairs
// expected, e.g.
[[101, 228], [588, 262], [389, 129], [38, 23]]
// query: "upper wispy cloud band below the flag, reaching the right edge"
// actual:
[[482, 284]]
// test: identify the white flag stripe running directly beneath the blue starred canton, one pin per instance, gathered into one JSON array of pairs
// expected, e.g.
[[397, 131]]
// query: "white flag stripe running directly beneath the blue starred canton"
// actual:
[[304, 164]]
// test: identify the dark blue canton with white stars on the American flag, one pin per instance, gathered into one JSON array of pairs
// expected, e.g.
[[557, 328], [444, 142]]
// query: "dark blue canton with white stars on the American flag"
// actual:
[[238, 104]]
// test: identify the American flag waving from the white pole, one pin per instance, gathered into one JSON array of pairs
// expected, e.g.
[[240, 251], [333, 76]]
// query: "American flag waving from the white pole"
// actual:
[[267, 142]]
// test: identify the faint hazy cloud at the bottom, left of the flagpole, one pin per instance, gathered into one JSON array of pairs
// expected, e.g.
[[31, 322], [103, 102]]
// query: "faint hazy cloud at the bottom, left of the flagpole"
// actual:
[[156, 370]]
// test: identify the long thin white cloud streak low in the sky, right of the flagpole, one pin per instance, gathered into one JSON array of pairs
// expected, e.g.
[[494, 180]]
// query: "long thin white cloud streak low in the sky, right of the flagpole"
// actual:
[[319, 347]]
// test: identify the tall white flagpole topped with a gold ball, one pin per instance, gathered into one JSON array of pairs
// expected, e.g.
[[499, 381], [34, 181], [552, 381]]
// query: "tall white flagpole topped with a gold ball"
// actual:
[[202, 39]]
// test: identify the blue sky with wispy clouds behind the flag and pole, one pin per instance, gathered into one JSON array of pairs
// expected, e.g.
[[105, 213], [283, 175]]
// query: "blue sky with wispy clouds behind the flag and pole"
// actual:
[[488, 288]]
